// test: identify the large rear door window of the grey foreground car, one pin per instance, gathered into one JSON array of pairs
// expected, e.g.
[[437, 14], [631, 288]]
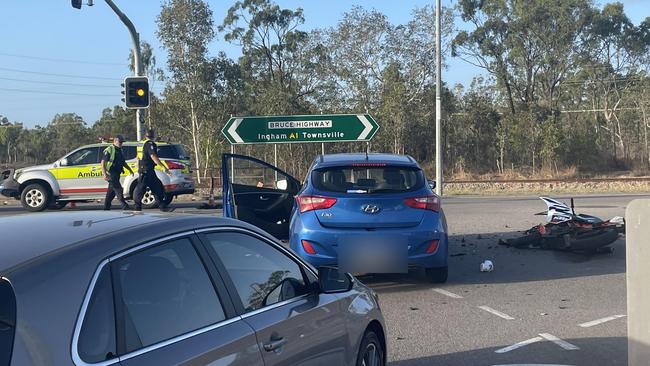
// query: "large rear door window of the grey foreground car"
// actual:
[[166, 292]]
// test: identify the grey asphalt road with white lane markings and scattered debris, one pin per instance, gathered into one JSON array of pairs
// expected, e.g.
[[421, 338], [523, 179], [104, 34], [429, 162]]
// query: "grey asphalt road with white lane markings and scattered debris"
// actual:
[[529, 310]]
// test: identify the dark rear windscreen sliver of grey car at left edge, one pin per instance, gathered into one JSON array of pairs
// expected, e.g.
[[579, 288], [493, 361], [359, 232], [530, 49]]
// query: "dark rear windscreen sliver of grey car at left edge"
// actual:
[[7, 321]]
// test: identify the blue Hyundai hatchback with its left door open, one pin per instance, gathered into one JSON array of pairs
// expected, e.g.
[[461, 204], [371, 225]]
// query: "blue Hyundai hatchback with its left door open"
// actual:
[[369, 213]]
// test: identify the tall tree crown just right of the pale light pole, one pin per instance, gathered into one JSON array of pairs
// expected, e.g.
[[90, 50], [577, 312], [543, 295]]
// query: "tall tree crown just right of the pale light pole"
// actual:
[[528, 47]]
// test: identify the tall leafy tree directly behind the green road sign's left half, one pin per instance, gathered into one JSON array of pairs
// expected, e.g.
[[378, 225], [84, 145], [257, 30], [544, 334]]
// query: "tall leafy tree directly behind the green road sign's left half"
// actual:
[[275, 55]]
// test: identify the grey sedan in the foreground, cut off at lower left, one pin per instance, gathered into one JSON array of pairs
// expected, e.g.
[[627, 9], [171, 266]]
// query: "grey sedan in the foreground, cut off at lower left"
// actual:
[[109, 288]]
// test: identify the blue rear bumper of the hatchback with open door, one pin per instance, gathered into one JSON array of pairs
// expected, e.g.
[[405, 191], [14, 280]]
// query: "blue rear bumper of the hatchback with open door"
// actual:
[[325, 241]]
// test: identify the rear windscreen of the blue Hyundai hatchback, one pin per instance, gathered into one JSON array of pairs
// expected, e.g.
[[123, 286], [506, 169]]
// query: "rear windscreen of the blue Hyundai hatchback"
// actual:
[[368, 179]]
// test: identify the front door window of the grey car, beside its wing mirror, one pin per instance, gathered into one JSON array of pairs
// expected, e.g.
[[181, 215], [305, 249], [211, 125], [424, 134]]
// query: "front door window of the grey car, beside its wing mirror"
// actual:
[[262, 274]]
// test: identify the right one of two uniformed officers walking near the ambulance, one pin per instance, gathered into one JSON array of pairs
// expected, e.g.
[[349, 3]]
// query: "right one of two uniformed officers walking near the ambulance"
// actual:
[[148, 161]]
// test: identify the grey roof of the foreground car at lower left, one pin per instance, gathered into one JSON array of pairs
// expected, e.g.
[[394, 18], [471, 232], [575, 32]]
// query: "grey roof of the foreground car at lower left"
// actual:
[[31, 236]]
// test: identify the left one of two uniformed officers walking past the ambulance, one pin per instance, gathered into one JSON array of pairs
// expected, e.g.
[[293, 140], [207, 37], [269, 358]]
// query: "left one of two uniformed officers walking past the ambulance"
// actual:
[[113, 165]]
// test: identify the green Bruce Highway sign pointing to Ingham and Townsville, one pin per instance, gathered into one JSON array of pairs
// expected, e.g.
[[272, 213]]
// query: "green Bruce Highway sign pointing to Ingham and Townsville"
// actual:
[[288, 129]]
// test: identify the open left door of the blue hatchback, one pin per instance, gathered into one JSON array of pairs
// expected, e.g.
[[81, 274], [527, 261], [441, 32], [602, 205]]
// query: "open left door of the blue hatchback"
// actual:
[[258, 193]]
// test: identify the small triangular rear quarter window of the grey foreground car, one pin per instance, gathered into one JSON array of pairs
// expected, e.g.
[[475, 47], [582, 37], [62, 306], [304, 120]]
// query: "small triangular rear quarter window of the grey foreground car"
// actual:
[[97, 336]]
